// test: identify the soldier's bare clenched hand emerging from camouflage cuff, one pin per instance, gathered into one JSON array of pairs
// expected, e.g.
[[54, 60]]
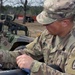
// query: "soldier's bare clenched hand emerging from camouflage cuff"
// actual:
[[24, 61]]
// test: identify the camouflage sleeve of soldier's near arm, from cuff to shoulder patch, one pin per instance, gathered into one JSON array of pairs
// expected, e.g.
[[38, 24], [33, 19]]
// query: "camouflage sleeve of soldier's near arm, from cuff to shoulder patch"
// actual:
[[39, 68]]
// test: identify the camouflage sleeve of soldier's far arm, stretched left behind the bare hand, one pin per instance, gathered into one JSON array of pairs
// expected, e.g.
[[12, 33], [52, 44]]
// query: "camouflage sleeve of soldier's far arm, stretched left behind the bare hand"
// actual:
[[33, 49]]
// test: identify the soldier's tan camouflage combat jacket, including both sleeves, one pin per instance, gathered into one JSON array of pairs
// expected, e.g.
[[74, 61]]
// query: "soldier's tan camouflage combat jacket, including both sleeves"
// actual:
[[55, 51]]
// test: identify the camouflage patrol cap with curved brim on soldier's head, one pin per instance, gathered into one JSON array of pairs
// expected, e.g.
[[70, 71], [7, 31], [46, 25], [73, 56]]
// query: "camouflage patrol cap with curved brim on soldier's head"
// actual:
[[56, 10]]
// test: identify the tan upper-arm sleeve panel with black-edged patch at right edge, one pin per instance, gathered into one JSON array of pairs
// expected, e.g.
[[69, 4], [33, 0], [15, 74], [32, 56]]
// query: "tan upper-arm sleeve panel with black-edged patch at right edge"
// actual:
[[70, 63]]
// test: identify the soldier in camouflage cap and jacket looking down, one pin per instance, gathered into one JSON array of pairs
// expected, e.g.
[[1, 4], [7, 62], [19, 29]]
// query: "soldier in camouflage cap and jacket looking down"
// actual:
[[56, 44]]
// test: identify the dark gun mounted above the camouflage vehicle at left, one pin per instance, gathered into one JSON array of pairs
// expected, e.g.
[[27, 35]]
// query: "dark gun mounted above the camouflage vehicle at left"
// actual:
[[14, 27]]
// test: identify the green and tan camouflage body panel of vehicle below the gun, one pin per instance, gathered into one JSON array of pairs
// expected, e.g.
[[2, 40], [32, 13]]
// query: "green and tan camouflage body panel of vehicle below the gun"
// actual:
[[7, 40]]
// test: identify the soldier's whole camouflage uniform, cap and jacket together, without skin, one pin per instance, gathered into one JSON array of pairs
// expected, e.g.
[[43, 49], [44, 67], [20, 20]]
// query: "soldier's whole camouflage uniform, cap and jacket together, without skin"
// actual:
[[54, 50]]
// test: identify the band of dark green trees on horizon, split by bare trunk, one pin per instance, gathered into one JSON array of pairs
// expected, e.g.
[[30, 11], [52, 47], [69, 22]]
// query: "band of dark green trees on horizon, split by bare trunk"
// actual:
[[30, 10]]
